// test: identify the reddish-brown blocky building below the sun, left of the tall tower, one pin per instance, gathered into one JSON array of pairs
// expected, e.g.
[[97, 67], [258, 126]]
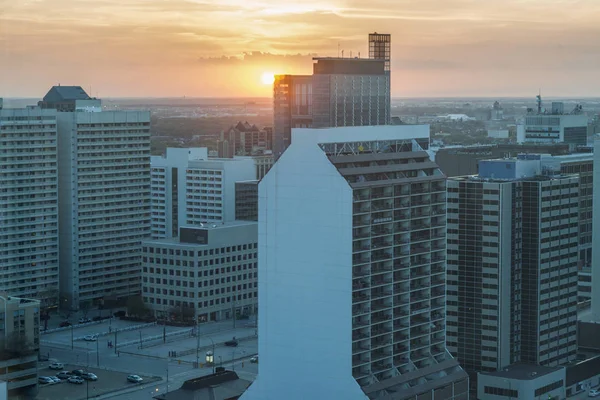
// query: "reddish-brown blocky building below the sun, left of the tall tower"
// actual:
[[244, 139]]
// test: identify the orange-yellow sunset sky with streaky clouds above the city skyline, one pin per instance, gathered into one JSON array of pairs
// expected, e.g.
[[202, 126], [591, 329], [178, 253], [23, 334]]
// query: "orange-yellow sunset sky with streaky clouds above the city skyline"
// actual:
[[206, 48]]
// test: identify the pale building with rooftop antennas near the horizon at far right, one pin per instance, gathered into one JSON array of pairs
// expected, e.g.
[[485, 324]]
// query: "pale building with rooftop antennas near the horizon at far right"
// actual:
[[554, 125]]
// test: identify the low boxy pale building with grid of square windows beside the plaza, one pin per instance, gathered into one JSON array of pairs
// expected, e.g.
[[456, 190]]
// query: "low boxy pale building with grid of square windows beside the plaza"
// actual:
[[211, 270]]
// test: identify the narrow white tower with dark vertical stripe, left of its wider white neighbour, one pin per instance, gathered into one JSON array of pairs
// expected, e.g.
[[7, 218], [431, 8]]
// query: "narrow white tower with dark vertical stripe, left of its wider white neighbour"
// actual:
[[168, 185]]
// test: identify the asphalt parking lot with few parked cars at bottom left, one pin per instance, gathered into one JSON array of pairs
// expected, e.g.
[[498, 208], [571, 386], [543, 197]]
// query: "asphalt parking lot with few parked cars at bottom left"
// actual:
[[108, 381]]
